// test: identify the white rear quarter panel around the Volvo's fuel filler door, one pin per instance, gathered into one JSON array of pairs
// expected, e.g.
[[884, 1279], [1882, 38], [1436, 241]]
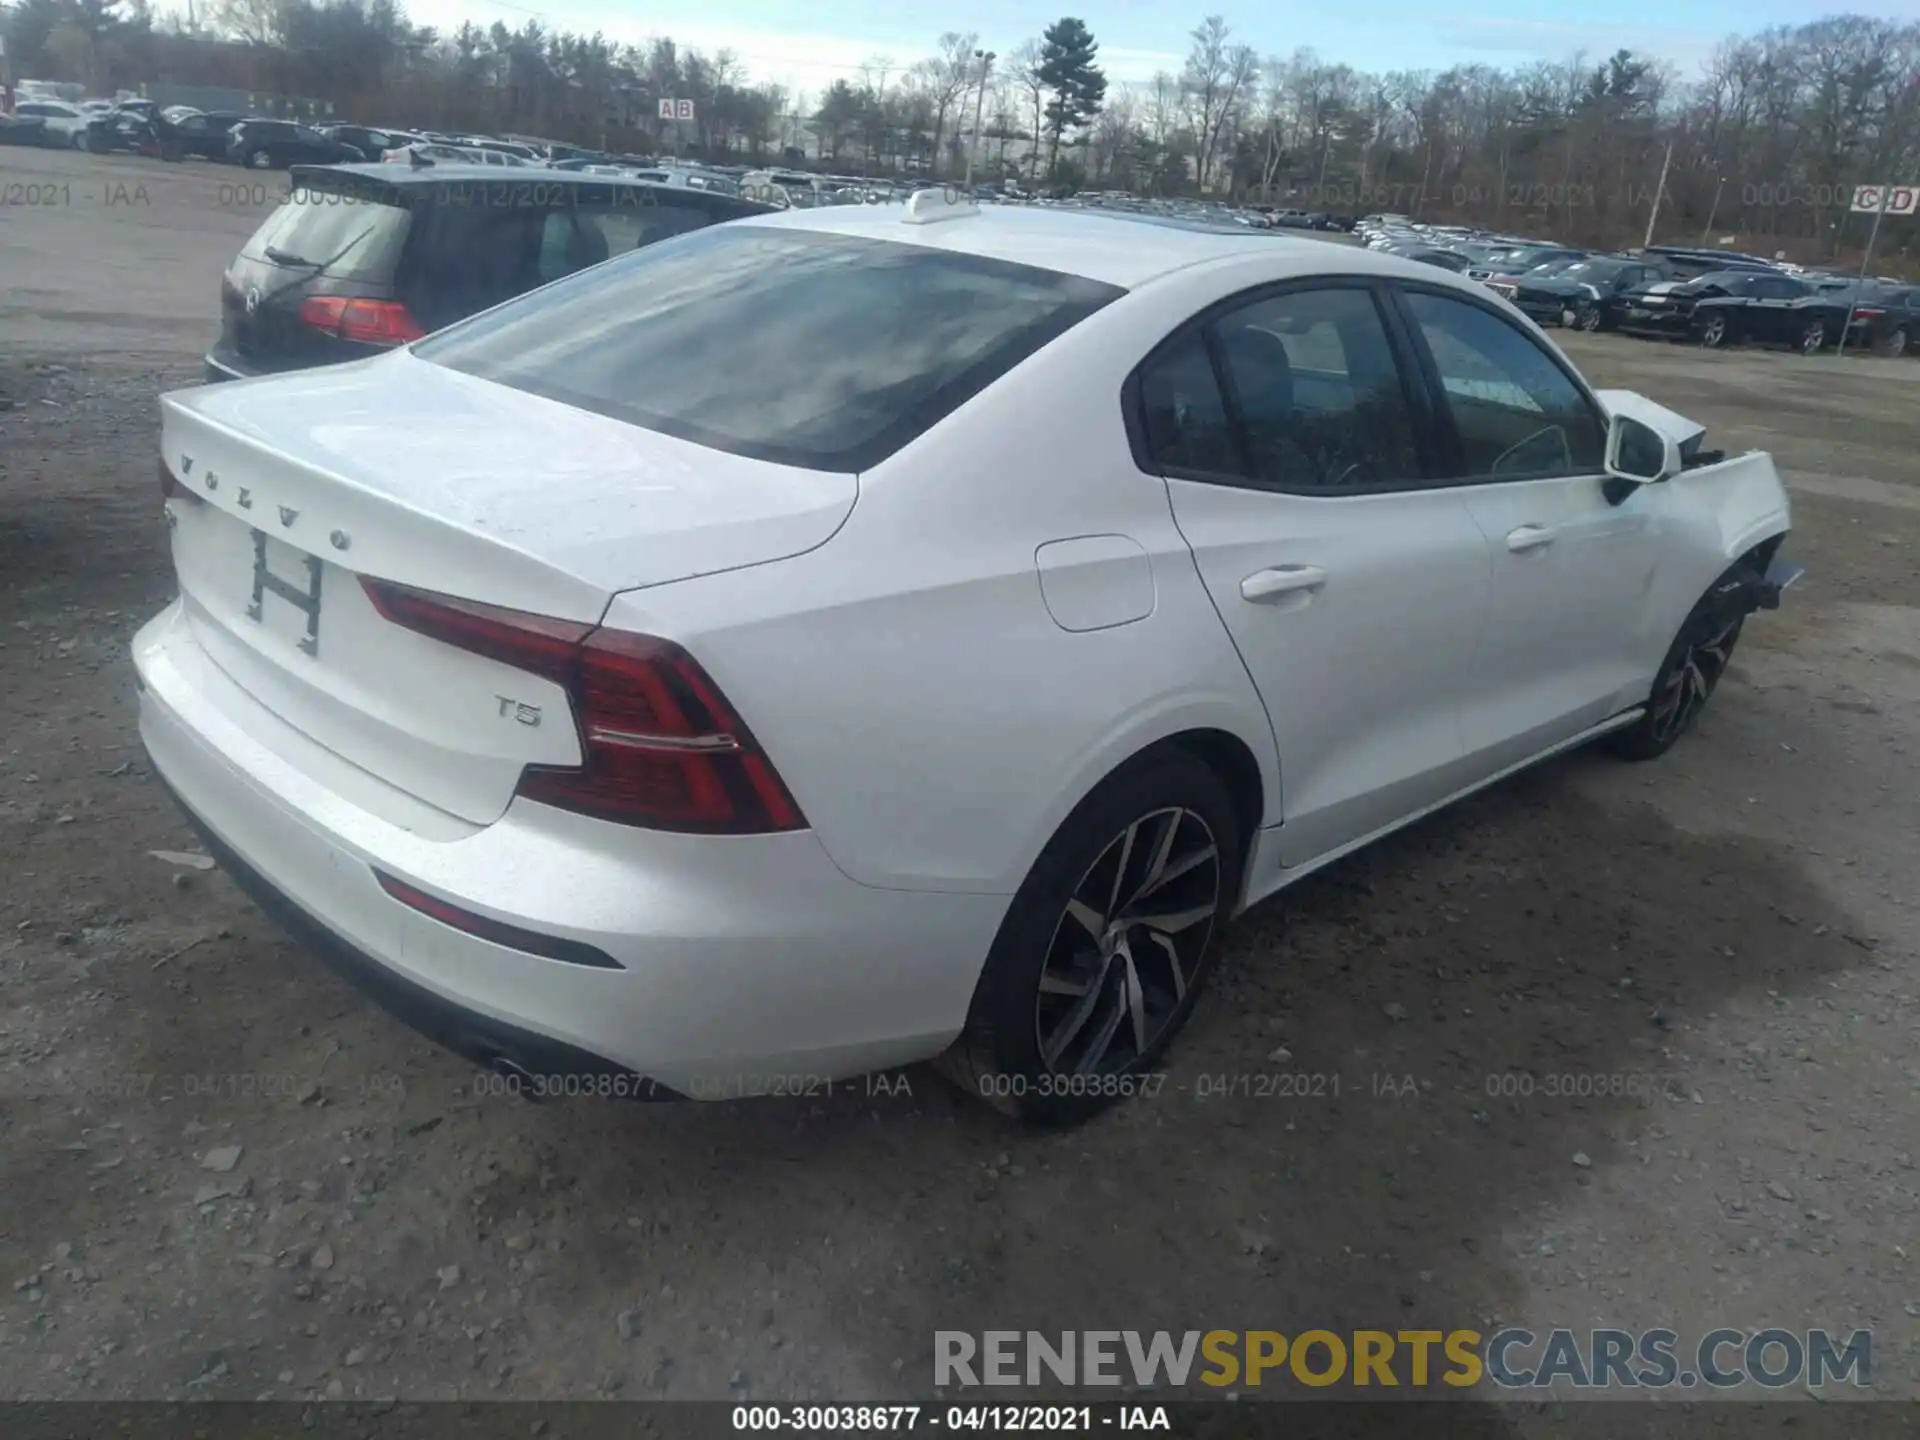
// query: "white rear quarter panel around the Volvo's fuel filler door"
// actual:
[[932, 719]]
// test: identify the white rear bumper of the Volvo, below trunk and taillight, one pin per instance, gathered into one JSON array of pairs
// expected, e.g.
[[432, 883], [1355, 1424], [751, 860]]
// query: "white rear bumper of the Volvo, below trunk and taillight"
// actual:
[[748, 965]]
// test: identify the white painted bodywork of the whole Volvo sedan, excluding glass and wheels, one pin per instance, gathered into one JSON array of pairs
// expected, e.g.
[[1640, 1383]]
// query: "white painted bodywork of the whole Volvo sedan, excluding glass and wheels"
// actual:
[[942, 658]]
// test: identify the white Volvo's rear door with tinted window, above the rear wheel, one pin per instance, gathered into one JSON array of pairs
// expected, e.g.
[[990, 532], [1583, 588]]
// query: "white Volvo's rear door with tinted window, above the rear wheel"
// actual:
[[1351, 587]]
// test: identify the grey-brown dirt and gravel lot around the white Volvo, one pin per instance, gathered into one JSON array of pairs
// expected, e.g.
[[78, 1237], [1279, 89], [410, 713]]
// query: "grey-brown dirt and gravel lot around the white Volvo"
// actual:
[[1737, 923]]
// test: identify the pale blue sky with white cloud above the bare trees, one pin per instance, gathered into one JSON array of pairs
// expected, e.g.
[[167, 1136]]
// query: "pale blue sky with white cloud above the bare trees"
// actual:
[[809, 47]]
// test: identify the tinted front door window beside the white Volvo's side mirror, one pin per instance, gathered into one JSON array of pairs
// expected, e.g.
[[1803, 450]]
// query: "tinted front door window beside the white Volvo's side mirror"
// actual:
[[1514, 408]]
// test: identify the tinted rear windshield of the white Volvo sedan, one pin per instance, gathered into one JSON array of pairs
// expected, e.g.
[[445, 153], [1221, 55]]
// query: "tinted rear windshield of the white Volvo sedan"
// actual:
[[811, 350]]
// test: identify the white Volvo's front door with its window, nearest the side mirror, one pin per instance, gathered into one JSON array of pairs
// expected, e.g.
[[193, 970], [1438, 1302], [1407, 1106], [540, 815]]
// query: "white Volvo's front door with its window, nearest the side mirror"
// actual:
[[1572, 571]]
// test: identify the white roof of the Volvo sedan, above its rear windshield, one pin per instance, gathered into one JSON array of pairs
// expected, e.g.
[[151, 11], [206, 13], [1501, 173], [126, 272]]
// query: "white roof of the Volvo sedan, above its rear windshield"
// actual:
[[1111, 247]]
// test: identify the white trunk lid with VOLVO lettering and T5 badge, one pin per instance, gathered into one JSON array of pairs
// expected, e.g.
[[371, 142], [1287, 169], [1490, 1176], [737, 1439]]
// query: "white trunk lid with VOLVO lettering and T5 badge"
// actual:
[[404, 471]]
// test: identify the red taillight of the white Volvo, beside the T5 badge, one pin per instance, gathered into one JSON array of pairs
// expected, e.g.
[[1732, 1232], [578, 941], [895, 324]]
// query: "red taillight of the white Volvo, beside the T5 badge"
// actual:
[[661, 746]]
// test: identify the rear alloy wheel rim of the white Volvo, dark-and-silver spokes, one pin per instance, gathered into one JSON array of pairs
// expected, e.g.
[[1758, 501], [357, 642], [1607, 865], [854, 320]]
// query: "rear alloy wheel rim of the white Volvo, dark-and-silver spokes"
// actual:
[[1130, 944]]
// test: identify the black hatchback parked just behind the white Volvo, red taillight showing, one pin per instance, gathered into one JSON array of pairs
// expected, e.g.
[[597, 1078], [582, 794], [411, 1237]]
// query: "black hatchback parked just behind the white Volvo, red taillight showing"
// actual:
[[364, 258]]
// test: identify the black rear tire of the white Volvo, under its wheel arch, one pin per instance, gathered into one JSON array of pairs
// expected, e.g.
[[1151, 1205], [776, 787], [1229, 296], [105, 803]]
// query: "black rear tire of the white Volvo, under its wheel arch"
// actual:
[[1141, 988]]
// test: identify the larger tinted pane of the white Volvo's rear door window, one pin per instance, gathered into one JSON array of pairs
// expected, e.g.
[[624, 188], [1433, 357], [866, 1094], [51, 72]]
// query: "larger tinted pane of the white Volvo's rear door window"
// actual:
[[1320, 395]]
